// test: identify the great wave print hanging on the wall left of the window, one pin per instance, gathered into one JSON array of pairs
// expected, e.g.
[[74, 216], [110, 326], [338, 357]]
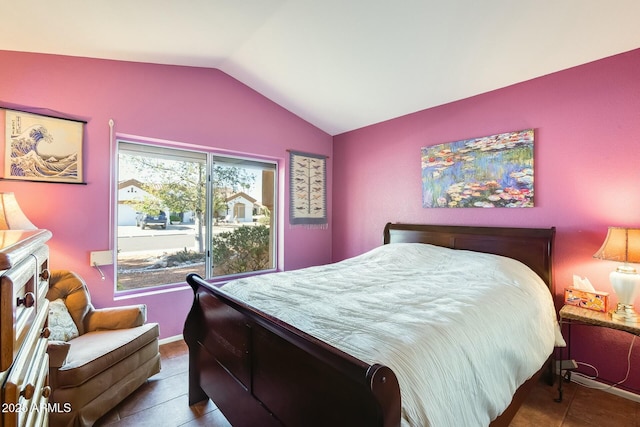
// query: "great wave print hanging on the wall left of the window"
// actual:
[[42, 148]]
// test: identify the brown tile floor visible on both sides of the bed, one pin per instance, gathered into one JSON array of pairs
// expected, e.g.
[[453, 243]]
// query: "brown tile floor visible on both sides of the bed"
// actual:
[[162, 401]]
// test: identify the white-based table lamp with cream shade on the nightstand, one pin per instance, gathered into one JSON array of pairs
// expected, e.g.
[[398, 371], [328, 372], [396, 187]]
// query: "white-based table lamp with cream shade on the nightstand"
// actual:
[[623, 245]]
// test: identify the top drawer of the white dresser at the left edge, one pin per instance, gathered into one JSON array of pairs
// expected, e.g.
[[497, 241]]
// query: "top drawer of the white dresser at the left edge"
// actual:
[[18, 309]]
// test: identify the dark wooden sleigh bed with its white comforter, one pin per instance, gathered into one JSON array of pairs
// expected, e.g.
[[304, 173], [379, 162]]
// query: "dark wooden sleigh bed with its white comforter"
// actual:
[[263, 366]]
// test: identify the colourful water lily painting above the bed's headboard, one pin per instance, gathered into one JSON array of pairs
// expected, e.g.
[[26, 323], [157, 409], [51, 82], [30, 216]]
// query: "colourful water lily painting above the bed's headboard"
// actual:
[[490, 172]]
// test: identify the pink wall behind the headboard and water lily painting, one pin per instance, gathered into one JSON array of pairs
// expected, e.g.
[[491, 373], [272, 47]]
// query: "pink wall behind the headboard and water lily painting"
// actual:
[[587, 166]]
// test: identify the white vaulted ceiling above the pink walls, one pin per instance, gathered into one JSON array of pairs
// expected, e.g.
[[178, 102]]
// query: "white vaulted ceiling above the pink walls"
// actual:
[[339, 64]]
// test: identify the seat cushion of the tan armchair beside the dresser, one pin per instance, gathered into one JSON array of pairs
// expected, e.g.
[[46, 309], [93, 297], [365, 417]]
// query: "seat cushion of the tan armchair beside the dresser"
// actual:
[[95, 352]]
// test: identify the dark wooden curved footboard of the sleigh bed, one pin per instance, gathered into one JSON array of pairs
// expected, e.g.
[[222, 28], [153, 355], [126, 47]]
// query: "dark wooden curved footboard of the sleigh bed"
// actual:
[[261, 371]]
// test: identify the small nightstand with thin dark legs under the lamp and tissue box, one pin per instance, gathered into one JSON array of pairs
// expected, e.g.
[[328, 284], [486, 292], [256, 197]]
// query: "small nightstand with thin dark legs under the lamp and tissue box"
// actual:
[[571, 314]]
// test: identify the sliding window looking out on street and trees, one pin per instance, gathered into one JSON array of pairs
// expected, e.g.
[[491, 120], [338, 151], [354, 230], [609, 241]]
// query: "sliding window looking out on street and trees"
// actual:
[[182, 212]]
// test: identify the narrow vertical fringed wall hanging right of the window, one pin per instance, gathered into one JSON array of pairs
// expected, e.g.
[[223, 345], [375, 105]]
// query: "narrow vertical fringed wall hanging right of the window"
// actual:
[[308, 190]]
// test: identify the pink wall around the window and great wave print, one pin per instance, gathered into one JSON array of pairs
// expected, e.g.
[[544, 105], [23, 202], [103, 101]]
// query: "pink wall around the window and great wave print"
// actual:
[[197, 106]]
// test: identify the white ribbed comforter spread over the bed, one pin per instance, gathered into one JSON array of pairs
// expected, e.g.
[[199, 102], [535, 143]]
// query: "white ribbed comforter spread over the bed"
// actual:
[[461, 330]]
